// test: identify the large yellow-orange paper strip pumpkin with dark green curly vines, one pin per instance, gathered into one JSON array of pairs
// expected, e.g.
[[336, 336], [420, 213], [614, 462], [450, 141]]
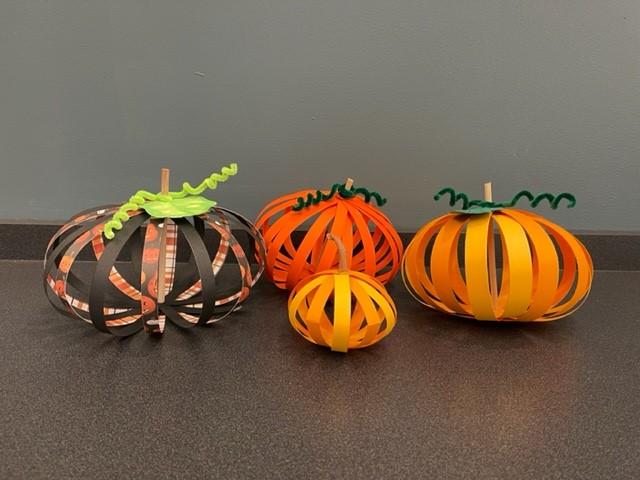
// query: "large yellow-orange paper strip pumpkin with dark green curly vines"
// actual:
[[546, 272]]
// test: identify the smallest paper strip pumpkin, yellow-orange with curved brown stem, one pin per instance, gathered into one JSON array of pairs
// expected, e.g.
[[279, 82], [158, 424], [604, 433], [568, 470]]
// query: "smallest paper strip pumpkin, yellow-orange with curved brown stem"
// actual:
[[341, 309]]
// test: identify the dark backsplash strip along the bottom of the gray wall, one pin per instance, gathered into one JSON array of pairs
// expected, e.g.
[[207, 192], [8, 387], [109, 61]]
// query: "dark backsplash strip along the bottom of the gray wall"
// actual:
[[610, 251]]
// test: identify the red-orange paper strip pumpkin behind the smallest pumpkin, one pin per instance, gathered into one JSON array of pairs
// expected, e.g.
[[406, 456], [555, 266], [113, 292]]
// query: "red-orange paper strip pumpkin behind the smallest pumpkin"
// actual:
[[372, 243]]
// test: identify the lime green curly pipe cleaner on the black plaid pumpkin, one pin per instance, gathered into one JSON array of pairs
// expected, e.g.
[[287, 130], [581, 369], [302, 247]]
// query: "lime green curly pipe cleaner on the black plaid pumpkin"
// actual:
[[143, 198]]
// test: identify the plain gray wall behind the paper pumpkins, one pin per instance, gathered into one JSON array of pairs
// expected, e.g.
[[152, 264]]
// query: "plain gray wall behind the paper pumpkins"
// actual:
[[405, 96]]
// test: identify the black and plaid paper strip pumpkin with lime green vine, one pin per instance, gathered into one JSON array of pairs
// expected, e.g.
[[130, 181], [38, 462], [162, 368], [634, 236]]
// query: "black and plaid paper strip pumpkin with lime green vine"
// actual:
[[148, 285]]
